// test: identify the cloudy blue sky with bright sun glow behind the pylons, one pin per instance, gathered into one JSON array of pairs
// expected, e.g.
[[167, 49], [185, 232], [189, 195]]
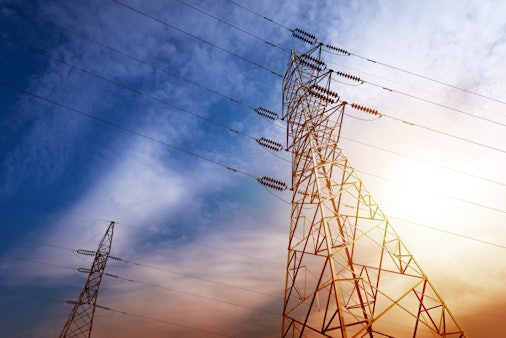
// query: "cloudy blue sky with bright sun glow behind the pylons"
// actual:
[[142, 113]]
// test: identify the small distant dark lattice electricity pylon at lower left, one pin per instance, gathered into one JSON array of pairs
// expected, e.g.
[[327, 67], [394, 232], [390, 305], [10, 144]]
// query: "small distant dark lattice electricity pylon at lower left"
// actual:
[[80, 321]]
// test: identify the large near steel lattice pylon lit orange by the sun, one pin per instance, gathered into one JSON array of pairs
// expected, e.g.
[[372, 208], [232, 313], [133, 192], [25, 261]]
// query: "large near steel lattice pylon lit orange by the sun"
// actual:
[[348, 273]]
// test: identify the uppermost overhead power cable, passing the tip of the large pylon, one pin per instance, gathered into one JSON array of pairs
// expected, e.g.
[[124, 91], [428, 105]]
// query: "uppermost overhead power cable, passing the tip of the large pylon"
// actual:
[[342, 51]]
